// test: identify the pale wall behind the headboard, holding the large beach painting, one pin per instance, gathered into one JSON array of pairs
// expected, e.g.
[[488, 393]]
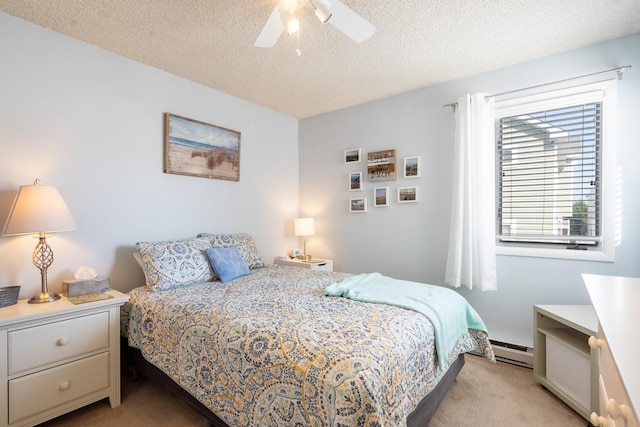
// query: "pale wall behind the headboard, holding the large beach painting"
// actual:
[[91, 123]]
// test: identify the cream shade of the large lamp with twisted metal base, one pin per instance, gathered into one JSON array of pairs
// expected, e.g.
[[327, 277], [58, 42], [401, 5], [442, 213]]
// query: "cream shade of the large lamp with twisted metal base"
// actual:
[[38, 209]]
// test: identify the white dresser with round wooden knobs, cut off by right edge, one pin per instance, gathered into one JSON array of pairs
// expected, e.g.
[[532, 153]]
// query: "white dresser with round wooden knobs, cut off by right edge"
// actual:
[[616, 301]]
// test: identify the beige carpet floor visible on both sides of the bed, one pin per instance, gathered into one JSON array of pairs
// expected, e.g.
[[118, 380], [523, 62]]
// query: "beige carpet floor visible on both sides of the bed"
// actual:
[[485, 394]]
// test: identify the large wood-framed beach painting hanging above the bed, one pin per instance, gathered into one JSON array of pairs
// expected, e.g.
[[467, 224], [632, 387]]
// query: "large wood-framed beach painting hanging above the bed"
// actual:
[[201, 149]]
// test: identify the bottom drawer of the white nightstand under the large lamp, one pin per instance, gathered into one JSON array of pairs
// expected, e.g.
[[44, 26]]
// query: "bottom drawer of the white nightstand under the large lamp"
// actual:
[[54, 387]]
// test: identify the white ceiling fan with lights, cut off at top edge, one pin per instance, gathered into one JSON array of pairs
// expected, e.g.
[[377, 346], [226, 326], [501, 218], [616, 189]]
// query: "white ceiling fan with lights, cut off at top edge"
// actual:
[[336, 13]]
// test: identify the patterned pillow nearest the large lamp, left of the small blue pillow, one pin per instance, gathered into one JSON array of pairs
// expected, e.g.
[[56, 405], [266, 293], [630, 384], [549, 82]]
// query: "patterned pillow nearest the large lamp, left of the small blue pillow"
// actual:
[[176, 263]]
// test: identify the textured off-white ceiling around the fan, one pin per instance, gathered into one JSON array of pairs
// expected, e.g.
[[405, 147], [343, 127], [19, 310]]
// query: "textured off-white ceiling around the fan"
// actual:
[[418, 43]]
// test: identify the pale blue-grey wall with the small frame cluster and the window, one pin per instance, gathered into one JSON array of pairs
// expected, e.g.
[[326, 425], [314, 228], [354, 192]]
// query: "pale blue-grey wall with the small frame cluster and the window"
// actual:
[[409, 241]]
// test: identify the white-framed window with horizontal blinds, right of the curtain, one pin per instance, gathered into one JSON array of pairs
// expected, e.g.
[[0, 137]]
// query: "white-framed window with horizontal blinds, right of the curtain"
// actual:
[[551, 176]]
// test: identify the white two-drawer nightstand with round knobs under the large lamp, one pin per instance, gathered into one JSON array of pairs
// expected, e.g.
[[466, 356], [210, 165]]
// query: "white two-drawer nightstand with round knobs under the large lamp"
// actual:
[[57, 357]]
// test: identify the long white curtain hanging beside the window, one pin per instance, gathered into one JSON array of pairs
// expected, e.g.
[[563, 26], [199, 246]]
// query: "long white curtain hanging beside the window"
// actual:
[[471, 261]]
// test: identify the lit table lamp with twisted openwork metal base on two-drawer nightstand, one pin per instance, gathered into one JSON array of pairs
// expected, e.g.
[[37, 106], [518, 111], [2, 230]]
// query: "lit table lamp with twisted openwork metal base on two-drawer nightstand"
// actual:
[[39, 209]]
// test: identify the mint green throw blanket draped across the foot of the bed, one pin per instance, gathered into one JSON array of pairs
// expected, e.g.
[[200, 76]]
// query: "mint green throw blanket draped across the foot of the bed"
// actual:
[[449, 313]]
